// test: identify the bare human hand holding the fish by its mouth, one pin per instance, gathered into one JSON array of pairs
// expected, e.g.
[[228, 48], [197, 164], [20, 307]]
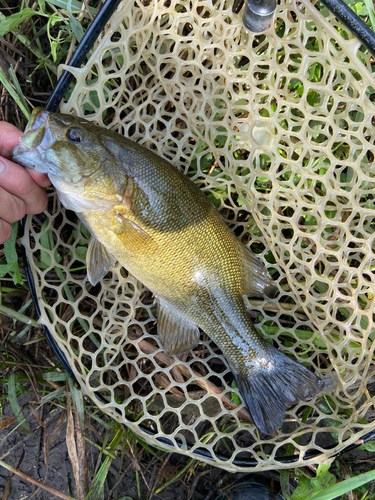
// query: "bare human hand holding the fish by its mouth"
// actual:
[[20, 188]]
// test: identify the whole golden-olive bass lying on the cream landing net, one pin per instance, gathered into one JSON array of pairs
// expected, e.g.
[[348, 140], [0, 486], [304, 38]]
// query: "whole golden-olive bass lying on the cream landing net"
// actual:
[[146, 214]]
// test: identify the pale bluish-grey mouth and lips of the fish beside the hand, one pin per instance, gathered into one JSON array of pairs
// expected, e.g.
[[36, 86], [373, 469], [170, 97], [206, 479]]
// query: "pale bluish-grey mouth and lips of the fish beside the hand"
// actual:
[[35, 141]]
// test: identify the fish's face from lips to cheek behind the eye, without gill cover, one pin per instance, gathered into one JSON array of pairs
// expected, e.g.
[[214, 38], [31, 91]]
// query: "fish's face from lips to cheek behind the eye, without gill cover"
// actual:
[[58, 145]]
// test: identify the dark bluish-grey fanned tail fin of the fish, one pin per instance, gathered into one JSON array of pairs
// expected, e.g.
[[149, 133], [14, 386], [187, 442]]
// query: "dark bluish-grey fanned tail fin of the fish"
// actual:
[[272, 387]]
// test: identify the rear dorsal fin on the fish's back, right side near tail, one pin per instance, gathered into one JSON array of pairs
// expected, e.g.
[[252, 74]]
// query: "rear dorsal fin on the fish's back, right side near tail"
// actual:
[[256, 279]]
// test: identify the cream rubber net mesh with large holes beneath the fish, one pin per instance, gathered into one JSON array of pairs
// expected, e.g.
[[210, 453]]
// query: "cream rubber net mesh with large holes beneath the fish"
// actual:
[[278, 130]]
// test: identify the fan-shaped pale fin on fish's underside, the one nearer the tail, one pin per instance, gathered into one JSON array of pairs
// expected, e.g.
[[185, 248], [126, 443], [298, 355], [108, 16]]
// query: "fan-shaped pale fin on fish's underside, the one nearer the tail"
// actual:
[[177, 334]]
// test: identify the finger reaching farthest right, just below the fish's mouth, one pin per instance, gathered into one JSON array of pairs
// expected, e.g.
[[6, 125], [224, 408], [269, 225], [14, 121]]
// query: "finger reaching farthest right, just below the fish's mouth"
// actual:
[[17, 181]]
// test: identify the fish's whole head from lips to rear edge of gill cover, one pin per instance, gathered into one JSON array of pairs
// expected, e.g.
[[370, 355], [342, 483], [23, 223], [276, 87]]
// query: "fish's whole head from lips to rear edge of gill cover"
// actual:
[[80, 158]]
